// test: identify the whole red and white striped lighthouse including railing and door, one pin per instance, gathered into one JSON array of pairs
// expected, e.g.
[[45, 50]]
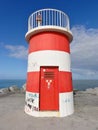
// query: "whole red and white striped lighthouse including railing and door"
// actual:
[[49, 90]]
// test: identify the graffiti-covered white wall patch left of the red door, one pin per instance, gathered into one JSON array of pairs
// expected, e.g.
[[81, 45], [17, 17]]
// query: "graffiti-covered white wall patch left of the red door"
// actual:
[[32, 102]]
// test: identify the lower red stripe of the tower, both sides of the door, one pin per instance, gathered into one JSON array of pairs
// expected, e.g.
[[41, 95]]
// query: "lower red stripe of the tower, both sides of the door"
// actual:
[[64, 82]]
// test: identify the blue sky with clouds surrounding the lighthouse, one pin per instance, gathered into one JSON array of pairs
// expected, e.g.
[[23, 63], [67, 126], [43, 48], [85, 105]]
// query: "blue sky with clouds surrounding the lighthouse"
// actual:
[[83, 16]]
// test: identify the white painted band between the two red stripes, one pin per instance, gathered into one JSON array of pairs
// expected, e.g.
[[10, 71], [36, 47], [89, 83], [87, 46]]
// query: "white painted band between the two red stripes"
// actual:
[[49, 58]]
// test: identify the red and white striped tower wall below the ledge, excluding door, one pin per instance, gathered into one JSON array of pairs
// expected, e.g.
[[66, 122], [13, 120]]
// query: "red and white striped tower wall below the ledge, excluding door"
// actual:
[[49, 49]]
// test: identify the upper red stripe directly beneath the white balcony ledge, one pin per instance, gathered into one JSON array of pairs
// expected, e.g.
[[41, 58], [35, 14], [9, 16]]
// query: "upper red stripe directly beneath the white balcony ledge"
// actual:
[[49, 41]]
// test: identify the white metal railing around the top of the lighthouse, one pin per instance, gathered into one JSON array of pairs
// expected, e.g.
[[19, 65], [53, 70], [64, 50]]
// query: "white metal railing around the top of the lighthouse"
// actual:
[[48, 17]]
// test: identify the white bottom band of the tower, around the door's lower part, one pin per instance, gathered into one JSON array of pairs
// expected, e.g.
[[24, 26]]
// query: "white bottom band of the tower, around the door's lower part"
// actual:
[[66, 106]]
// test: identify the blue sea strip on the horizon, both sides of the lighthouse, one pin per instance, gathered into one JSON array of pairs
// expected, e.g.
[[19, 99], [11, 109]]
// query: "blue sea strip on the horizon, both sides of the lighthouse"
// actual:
[[77, 84]]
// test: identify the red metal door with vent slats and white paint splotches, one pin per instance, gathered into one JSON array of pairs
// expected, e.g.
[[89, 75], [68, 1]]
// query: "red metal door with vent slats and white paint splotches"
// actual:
[[49, 96]]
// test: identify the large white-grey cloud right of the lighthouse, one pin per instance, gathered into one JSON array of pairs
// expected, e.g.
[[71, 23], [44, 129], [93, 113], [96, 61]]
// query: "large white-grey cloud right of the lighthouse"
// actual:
[[84, 51]]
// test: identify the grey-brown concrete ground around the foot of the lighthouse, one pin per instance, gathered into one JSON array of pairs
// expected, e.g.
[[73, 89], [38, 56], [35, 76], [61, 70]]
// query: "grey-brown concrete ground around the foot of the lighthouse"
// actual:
[[85, 117]]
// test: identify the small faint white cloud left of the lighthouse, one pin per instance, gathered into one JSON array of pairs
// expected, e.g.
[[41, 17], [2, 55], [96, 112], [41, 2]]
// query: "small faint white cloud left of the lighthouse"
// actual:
[[17, 51]]
